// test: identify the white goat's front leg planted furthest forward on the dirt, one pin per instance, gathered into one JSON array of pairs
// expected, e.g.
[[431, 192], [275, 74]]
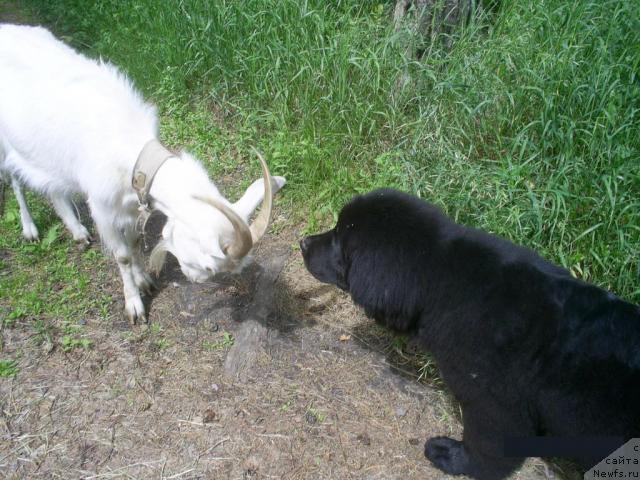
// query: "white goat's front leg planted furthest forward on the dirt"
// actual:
[[119, 241]]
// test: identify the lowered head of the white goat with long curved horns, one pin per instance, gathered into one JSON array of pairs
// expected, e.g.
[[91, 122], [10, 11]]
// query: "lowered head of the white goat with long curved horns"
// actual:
[[219, 239]]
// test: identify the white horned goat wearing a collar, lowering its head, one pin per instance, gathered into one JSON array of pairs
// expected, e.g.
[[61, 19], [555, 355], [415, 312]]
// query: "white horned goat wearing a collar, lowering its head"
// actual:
[[71, 124]]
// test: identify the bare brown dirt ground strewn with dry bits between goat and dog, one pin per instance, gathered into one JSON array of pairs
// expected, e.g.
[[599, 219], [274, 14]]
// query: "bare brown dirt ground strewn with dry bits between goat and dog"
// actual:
[[266, 374]]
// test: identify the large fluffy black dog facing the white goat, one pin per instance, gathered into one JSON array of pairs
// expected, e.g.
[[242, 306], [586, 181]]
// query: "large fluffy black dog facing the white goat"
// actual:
[[527, 350]]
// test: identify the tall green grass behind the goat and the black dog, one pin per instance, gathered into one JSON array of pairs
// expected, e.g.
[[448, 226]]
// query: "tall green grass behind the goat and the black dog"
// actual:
[[528, 127]]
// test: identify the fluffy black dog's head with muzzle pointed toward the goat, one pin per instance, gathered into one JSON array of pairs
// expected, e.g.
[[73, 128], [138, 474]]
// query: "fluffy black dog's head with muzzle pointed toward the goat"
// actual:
[[377, 252]]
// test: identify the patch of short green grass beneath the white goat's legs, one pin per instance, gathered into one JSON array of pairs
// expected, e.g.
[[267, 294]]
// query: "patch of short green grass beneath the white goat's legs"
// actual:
[[48, 286]]
